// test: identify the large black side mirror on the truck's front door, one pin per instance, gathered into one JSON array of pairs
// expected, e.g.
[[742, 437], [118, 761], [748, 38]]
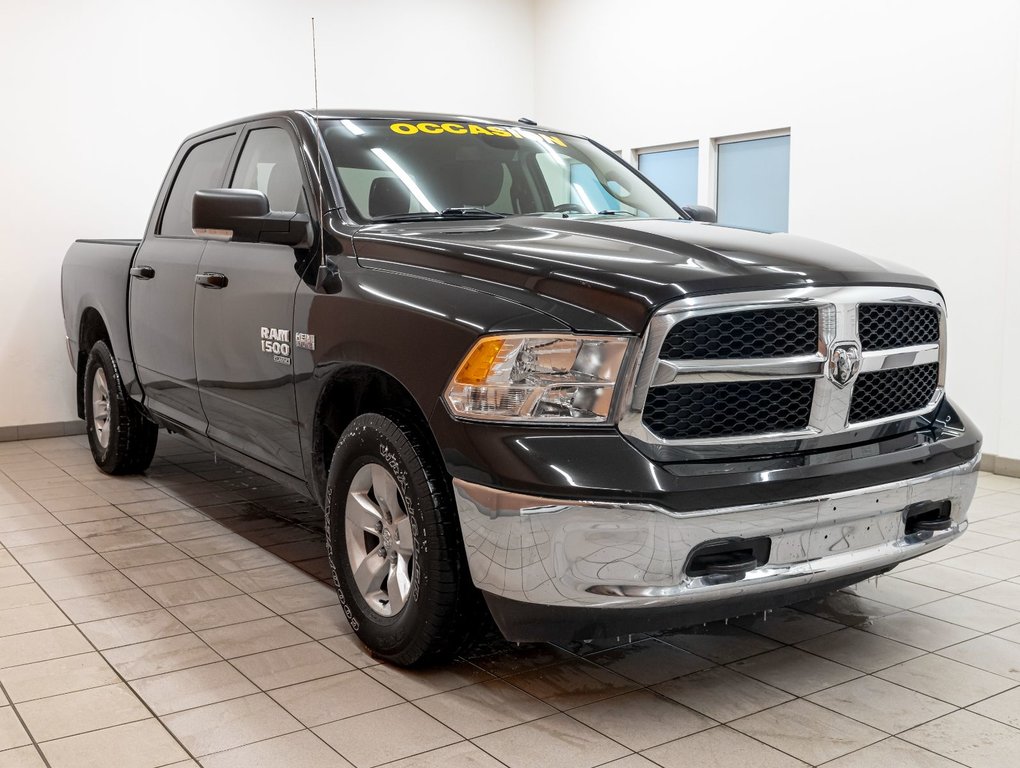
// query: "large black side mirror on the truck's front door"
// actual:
[[244, 217]]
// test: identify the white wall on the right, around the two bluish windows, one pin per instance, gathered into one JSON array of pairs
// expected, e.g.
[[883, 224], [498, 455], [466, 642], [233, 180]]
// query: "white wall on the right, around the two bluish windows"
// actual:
[[905, 126]]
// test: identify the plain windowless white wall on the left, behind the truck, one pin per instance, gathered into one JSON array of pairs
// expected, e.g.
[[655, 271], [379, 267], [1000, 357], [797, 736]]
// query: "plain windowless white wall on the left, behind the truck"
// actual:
[[97, 96]]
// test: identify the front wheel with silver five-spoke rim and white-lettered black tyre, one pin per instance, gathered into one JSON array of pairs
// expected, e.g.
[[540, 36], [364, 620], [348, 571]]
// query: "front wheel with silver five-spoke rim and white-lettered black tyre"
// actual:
[[394, 545]]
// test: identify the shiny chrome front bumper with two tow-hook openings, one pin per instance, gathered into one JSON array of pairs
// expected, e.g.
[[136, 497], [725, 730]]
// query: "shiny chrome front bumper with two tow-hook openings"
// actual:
[[583, 554]]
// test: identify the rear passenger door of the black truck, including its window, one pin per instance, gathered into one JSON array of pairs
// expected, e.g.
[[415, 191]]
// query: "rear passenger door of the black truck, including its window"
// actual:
[[162, 293]]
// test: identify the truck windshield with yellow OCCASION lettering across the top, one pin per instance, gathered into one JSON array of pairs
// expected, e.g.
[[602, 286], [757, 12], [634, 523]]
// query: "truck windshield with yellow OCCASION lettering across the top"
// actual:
[[394, 171]]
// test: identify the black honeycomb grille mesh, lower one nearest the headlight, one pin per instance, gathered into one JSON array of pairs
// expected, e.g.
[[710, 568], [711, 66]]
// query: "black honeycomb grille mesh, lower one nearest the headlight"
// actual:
[[729, 409]]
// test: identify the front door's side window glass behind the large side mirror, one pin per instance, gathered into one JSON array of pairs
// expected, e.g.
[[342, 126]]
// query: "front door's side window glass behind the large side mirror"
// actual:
[[270, 165]]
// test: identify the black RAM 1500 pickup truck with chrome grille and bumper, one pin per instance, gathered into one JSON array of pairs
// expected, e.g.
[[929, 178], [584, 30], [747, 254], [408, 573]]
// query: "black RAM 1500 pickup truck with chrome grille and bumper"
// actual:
[[520, 381]]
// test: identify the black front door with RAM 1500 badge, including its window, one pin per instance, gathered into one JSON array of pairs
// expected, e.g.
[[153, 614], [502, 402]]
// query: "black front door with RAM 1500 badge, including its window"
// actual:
[[244, 332]]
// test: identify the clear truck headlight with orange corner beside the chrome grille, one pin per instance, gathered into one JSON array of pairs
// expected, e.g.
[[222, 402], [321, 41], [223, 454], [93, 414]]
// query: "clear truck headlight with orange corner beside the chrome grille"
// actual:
[[544, 378]]
